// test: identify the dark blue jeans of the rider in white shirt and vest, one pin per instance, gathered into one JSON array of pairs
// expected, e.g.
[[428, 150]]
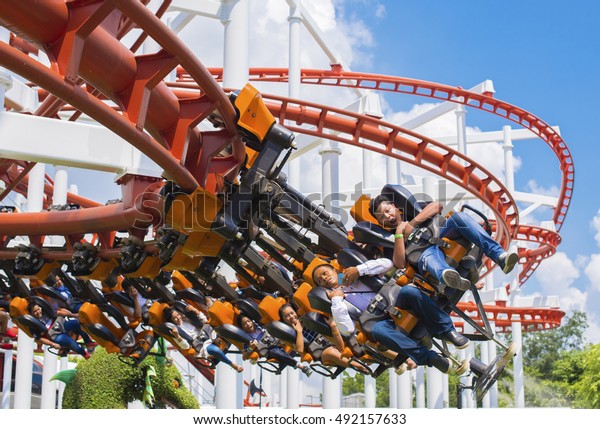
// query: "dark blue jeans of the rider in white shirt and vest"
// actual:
[[437, 322]]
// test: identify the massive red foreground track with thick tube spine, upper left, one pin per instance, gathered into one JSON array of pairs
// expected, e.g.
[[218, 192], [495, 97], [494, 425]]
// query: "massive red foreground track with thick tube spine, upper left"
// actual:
[[88, 61]]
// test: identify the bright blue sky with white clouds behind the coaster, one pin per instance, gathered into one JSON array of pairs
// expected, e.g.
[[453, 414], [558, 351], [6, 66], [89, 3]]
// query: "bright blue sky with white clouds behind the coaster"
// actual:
[[541, 55]]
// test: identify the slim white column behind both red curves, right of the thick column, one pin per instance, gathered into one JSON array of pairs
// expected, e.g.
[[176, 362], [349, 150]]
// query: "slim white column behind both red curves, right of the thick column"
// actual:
[[295, 26]]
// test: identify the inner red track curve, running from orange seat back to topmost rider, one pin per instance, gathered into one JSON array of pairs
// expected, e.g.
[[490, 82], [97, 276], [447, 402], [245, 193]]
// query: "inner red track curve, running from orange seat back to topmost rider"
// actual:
[[394, 141]]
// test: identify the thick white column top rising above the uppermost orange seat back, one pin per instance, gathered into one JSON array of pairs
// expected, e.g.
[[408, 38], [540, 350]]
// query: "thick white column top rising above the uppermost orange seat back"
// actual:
[[235, 18]]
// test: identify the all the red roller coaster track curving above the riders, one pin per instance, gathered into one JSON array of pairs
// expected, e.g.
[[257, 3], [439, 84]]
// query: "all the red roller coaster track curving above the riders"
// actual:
[[89, 64]]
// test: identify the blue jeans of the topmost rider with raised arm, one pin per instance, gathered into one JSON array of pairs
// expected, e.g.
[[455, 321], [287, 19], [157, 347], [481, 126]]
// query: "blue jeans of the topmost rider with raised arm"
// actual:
[[458, 225]]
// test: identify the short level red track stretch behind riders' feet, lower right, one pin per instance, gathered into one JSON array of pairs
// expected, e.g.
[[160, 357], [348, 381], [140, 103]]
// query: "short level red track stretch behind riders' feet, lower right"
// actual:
[[531, 319]]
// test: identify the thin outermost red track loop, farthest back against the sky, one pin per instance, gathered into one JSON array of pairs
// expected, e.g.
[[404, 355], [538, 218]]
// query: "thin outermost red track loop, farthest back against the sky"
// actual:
[[547, 240]]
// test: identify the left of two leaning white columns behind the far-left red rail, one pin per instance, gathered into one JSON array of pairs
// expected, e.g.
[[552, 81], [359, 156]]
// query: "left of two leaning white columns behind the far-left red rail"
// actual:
[[25, 344]]
